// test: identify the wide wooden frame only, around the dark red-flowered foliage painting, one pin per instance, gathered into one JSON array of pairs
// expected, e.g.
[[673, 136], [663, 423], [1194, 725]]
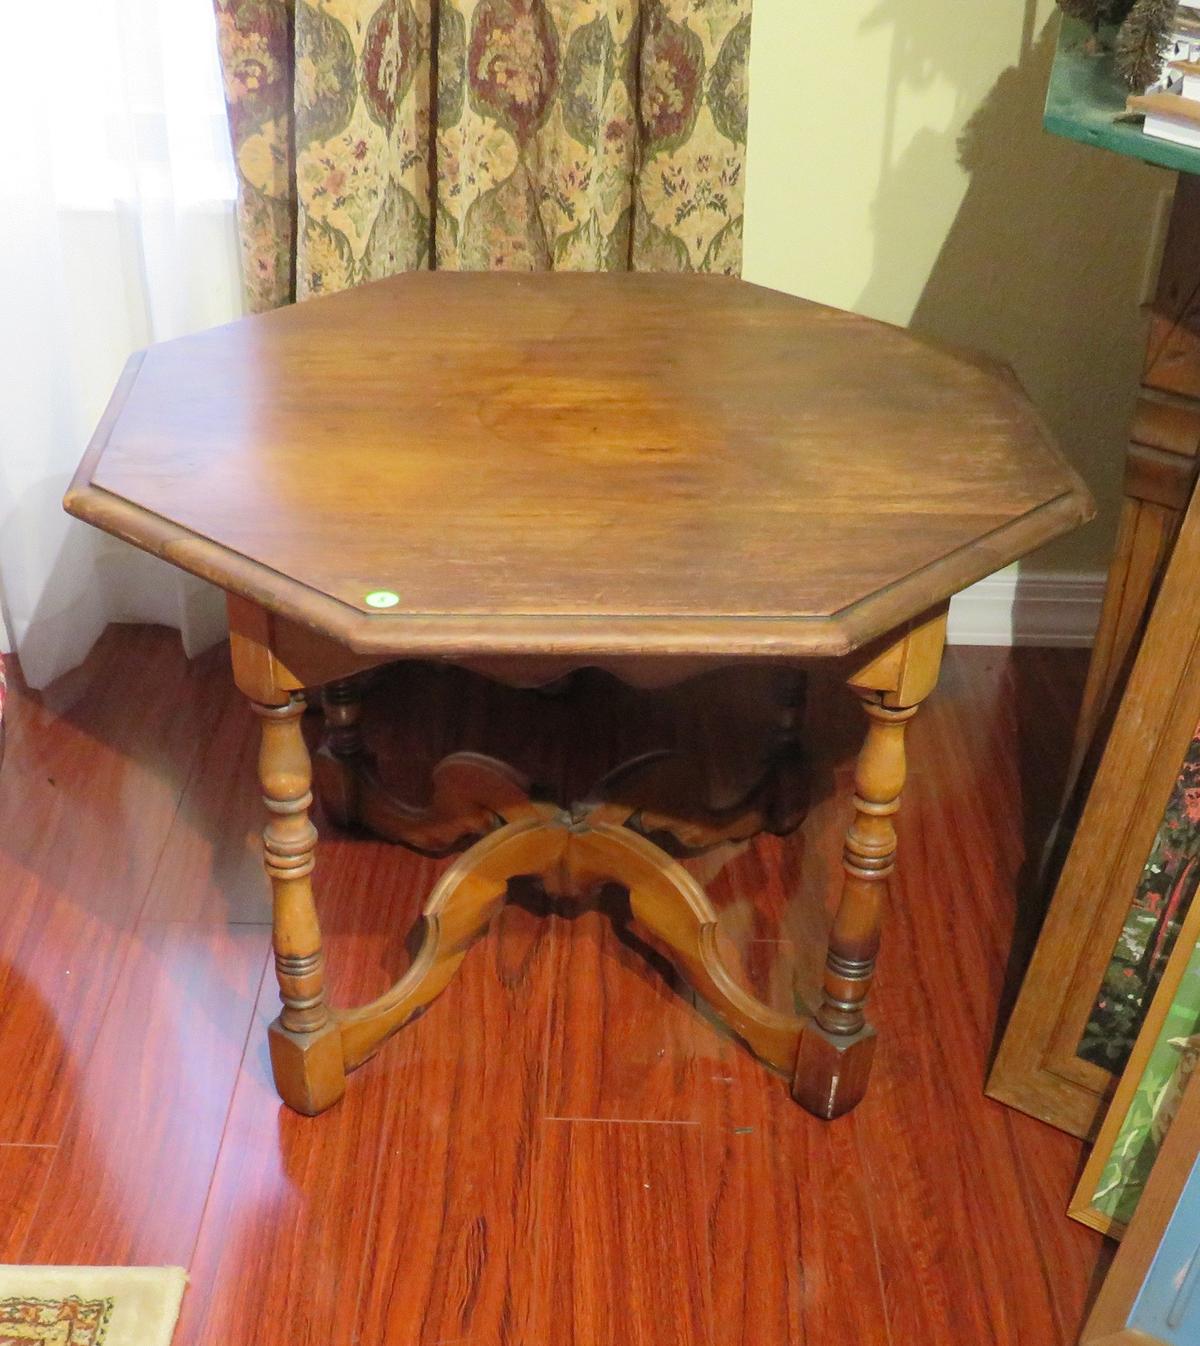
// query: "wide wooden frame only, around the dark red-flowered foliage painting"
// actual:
[[1038, 1068]]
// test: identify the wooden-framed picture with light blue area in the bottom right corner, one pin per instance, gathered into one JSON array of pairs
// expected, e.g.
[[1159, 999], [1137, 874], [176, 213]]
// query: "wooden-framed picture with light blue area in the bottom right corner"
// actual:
[[1150, 1297]]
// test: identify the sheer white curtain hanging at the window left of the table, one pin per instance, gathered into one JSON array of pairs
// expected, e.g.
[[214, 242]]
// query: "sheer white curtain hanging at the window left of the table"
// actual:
[[116, 231]]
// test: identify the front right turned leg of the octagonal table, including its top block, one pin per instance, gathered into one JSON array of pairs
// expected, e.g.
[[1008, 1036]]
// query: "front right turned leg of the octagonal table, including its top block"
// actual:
[[837, 1049]]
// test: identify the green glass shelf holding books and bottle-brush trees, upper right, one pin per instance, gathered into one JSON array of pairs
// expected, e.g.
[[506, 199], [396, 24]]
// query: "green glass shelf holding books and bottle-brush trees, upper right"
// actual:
[[1085, 96]]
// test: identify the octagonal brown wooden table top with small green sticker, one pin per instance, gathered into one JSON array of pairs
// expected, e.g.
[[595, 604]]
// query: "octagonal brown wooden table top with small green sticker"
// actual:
[[576, 464]]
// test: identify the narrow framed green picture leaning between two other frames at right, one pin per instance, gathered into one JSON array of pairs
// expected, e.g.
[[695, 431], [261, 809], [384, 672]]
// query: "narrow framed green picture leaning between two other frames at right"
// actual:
[[1150, 1095]]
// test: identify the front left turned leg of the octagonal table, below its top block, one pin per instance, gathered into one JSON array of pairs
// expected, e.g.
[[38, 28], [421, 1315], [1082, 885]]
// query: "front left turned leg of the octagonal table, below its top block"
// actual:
[[306, 1047]]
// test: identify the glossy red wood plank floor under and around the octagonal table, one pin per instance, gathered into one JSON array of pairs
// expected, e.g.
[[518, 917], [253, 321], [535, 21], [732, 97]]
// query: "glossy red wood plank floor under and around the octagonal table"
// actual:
[[563, 1152]]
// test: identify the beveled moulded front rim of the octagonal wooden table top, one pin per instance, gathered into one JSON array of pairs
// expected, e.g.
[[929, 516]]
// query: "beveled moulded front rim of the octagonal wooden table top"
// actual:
[[451, 636]]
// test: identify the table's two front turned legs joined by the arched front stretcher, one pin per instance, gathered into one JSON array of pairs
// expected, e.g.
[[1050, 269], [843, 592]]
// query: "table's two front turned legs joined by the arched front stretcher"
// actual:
[[574, 853]]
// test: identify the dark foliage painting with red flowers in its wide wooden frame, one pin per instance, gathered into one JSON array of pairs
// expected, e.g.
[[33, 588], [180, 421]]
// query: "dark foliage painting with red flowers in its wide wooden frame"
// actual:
[[1128, 882]]
